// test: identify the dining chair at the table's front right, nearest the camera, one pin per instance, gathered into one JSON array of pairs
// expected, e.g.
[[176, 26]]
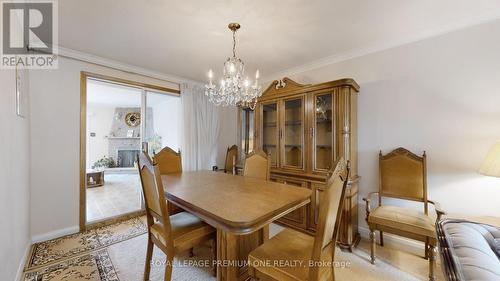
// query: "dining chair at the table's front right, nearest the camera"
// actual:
[[299, 256]]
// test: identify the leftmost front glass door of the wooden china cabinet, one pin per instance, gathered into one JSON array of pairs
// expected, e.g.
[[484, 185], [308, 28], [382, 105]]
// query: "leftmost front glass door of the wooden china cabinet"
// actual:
[[270, 131]]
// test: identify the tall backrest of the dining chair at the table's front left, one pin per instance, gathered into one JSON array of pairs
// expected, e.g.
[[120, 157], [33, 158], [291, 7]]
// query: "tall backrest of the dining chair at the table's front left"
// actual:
[[152, 187]]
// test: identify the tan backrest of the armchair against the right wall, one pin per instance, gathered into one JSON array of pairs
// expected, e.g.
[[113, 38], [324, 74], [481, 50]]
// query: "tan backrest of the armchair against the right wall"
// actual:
[[403, 175]]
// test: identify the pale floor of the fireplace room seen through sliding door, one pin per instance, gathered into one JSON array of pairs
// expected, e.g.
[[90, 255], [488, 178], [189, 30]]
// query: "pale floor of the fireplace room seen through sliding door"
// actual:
[[120, 194]]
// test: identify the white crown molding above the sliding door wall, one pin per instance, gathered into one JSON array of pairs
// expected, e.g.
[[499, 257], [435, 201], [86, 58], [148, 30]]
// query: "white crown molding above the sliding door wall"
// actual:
[[93, 59]]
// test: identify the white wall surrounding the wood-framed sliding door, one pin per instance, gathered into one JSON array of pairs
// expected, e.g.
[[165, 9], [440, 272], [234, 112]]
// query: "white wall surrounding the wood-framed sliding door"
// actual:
[[55, 146]]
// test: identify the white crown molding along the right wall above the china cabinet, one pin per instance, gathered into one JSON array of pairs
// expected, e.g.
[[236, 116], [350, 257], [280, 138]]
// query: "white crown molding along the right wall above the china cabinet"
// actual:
[[379, 47]]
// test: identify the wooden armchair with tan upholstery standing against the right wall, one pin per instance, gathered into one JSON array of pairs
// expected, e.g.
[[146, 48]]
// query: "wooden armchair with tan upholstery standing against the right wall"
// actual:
[[403, 175]]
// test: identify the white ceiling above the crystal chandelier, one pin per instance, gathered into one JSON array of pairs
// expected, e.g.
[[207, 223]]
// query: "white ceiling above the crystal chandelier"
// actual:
[[186, 38]]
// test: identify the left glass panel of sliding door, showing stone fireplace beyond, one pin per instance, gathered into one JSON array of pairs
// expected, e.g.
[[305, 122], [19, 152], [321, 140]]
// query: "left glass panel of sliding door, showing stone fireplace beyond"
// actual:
[[113, 141]]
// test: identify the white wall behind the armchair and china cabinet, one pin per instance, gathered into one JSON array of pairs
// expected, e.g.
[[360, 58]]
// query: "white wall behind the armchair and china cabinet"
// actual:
[[441, 95]]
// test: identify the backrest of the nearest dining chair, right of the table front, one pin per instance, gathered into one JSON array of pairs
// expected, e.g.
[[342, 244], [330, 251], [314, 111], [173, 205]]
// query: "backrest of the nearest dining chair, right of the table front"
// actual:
[[330, 214]]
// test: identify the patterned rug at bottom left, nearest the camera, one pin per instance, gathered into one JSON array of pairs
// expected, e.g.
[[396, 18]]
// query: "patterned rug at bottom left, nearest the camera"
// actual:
[[96, 266]]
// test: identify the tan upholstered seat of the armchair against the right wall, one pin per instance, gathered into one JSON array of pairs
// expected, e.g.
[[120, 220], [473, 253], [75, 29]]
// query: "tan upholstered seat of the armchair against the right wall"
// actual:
[[403, 219]]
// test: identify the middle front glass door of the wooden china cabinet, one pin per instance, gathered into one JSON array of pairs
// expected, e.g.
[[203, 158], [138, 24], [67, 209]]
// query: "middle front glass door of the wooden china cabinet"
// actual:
[[293, 133]]
